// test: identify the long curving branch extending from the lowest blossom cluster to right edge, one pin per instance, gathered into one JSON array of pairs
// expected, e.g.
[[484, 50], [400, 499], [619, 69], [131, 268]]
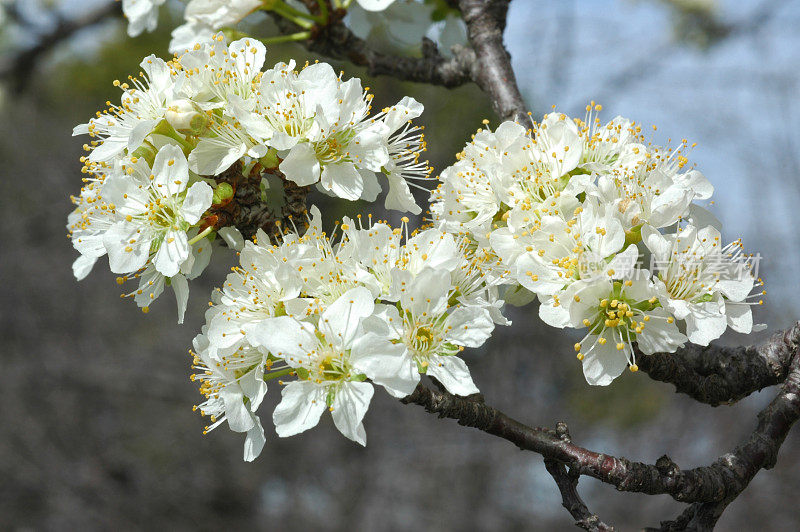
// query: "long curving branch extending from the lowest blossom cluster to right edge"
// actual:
[[720, 482]]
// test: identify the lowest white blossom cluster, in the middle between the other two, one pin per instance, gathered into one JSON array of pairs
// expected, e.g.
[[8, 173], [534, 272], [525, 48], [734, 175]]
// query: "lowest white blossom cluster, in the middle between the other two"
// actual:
[[324, 314]]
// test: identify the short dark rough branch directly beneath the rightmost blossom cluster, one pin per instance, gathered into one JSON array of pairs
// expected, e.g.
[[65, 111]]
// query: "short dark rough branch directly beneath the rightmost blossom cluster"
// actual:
[[723, 375]]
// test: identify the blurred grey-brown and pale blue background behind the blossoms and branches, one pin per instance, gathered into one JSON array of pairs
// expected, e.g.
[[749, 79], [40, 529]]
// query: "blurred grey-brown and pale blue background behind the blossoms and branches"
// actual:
[[98, 431]]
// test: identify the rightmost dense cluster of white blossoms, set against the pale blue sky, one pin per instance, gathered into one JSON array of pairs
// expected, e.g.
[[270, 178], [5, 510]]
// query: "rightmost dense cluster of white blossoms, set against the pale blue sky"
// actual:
[[570, 207]]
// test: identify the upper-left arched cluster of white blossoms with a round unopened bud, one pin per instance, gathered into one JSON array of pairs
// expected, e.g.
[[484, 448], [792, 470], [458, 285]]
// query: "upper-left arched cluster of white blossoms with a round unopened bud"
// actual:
[[151, 187]]
